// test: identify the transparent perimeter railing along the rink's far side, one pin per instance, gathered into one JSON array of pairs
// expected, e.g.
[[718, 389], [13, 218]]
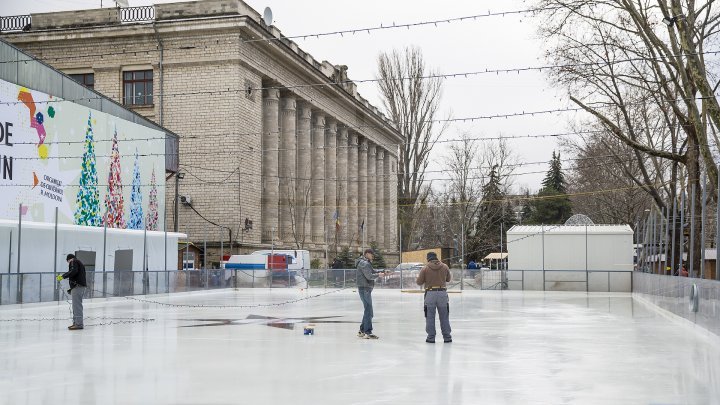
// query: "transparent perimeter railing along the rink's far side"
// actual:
[[19, 288]]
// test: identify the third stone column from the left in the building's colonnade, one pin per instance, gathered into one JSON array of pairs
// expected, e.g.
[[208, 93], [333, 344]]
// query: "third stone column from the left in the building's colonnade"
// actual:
[[304, 172]]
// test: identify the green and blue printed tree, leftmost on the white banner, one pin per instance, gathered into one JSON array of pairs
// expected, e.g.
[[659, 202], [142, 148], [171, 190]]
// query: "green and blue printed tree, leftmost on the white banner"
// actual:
[[87, 201]]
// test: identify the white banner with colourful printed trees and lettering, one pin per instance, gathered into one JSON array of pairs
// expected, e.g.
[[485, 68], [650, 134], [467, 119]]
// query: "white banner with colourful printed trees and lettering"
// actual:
[[95, 168]]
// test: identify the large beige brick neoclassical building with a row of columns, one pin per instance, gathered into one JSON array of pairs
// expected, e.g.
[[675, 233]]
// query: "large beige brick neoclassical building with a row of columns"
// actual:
[[276, 148]]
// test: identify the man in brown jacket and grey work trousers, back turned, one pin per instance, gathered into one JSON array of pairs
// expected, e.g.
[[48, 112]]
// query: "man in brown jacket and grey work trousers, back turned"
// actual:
[[434, 277]]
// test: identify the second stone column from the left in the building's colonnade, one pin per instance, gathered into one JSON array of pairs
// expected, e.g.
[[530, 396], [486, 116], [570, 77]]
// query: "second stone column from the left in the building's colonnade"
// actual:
[[288, 117]]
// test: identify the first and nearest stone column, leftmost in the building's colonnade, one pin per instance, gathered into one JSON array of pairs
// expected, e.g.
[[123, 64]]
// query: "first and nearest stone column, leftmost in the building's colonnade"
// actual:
[[270, 179]]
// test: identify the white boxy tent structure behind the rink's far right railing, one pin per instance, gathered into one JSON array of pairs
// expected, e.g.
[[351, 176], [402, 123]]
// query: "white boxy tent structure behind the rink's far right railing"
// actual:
[[570, 257]]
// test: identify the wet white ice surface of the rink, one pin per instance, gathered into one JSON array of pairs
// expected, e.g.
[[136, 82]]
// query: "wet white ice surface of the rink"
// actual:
[[509, 348]]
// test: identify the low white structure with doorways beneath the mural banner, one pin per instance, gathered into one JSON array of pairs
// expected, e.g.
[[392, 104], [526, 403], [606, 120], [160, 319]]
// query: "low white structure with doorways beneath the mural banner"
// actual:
[[100, 249]]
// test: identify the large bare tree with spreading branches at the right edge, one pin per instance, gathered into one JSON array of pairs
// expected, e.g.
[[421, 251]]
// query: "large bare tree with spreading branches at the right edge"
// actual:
[[627, 68]]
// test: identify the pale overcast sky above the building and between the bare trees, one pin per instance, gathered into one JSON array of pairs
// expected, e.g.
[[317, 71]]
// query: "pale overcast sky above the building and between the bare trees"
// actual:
[[485, 43]]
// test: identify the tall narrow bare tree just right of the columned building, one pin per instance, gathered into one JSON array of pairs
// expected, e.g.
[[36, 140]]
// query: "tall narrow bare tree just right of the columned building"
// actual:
[[412, 101]]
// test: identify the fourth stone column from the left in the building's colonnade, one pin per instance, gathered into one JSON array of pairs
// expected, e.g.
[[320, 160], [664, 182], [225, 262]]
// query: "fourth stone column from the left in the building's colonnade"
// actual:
[[318, 178]]
